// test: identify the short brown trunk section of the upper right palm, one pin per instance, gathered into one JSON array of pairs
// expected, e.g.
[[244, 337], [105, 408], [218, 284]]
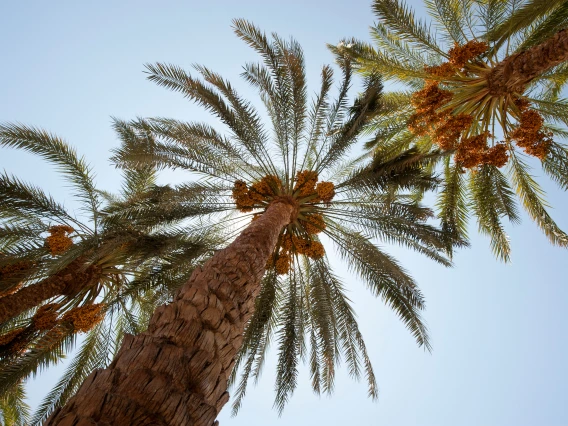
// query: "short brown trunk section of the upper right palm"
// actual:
[[513, 73]]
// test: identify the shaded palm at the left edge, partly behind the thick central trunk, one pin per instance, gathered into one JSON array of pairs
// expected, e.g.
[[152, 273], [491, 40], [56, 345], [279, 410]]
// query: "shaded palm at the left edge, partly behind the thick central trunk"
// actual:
[[102, 273]]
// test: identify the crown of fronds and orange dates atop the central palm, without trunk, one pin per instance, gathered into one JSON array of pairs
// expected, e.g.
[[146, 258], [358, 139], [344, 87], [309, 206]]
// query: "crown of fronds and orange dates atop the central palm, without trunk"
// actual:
[[303, 156]]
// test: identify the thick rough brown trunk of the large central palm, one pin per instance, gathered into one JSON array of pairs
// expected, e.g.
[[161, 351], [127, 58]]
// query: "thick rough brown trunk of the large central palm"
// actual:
[[176, 372]]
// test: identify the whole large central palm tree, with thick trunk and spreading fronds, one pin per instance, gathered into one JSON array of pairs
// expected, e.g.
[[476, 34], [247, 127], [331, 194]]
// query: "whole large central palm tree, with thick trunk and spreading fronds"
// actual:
[[285, 188]]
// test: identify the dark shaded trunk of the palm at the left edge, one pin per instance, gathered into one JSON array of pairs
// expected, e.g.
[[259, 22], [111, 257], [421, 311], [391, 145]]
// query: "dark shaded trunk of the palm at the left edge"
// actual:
[[66, 282]]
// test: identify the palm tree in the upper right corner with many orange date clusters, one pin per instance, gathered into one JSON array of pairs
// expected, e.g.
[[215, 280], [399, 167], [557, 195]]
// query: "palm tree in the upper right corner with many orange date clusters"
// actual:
[[484, 87]]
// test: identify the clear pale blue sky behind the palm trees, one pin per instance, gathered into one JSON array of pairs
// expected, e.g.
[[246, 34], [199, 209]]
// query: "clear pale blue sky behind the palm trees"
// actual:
[[499, 331]]
